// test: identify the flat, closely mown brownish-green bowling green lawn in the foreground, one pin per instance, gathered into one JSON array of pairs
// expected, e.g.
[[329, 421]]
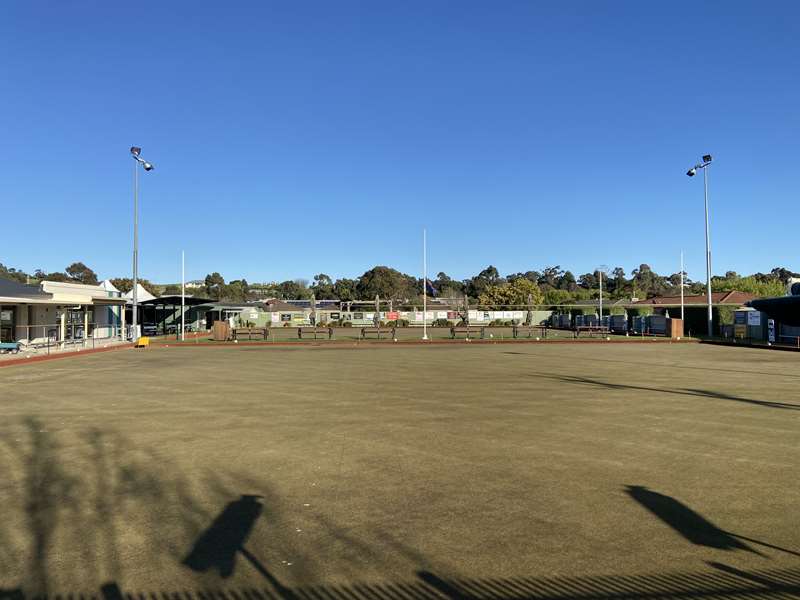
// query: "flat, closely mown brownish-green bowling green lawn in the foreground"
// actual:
[[404, 471]]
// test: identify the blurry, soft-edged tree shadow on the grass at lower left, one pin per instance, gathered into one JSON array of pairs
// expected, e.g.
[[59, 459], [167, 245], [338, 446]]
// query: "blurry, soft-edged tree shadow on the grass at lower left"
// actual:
[[96, 486]]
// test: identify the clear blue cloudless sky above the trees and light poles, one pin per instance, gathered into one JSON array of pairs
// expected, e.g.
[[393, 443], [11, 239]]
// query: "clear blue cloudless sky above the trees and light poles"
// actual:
[[552, 132]]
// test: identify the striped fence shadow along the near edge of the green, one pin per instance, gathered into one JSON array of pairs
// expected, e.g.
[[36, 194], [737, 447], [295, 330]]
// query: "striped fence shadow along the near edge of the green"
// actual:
[[721, 581]]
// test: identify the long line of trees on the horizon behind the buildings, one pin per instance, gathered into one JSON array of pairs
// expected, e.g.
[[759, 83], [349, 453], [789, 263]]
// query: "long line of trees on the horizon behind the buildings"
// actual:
[[549, 286]]
